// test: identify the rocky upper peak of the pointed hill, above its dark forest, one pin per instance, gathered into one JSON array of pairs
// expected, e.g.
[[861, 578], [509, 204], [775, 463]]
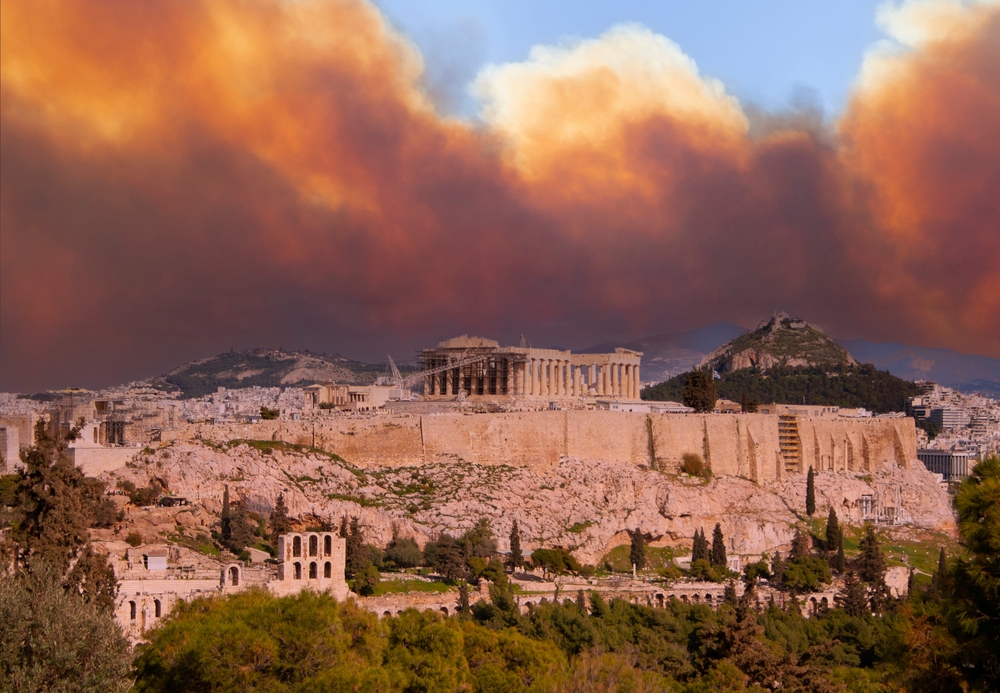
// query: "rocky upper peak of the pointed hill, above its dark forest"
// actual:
[[782, 341]]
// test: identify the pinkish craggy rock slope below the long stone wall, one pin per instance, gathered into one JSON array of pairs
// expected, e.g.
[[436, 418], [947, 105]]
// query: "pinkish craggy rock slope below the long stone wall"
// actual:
[[583, 505]]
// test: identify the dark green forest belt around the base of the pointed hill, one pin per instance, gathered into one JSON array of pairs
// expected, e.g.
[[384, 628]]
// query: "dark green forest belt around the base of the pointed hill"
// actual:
[[843, 386]]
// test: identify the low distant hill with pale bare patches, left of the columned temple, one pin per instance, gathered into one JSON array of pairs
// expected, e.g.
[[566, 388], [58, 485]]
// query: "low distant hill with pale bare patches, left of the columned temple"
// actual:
[[265, 368]]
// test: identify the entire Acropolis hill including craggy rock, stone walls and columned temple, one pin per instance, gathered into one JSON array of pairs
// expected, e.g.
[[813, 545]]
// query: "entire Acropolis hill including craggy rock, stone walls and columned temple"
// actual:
[[547, 437]]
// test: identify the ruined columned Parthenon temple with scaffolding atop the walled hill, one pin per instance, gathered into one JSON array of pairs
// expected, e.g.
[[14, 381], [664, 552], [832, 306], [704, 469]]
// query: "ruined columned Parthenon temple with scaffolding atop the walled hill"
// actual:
[[477, 367]]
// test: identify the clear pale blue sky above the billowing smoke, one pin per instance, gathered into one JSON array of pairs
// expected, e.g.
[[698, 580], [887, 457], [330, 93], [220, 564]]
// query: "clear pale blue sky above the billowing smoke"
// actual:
[[769, 53]]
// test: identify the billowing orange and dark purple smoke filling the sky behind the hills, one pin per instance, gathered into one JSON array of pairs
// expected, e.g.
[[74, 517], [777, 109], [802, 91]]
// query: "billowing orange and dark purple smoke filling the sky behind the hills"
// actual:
[[180, 178]]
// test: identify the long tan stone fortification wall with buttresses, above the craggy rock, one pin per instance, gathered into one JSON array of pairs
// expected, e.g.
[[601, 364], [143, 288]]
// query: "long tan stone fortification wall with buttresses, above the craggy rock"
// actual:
[[746, 445]]
